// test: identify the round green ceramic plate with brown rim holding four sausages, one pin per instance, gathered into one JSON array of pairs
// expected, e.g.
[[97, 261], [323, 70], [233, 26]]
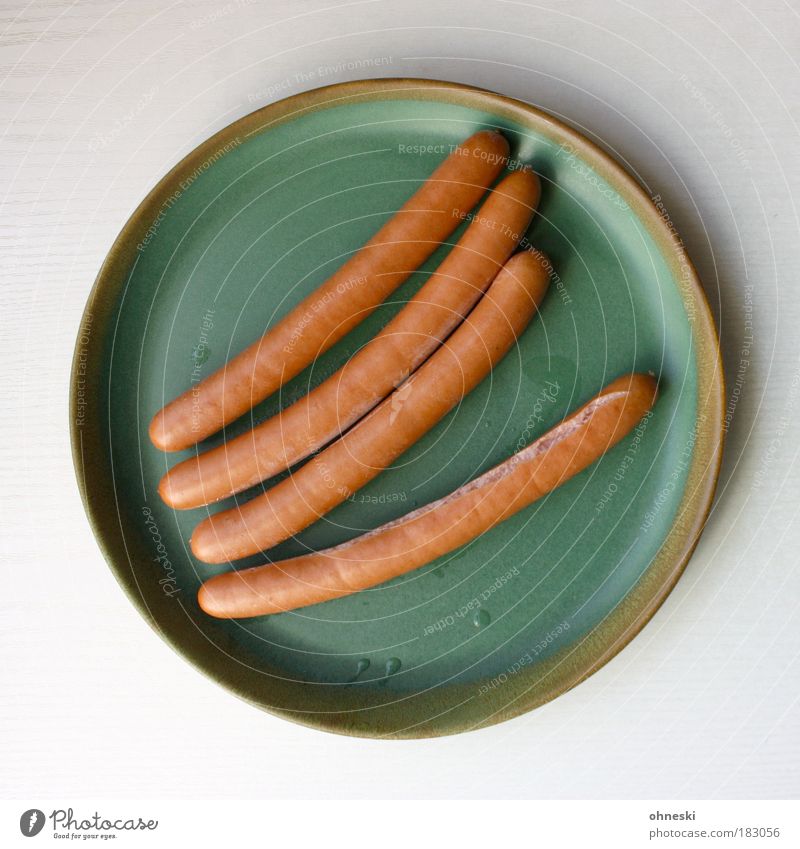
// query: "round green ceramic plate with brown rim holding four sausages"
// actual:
[[257, 217]]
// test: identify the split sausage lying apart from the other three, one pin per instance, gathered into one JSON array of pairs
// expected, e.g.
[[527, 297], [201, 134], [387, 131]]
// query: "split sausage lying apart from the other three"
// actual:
[[442, 526]]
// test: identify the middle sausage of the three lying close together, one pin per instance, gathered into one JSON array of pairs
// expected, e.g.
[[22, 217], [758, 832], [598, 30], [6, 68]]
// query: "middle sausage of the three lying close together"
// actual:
[[377, 369]]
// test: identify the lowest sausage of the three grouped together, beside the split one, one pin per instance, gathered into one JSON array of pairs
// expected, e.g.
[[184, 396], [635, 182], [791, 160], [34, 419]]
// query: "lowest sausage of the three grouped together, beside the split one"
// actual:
[[330, 477]]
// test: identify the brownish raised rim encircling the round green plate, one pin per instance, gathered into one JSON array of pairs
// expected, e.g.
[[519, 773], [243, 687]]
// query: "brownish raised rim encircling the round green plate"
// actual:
[[657, 582]]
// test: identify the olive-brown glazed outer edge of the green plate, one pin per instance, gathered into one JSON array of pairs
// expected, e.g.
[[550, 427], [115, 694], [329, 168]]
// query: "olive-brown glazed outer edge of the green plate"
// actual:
[[532, 686]]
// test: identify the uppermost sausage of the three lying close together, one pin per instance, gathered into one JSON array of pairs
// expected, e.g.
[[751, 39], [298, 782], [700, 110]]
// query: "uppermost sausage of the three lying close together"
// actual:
[[339, 304]]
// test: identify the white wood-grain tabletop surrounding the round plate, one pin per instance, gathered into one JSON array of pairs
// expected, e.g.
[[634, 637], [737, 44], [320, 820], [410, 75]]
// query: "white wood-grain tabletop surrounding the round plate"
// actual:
[[699, 99]]
